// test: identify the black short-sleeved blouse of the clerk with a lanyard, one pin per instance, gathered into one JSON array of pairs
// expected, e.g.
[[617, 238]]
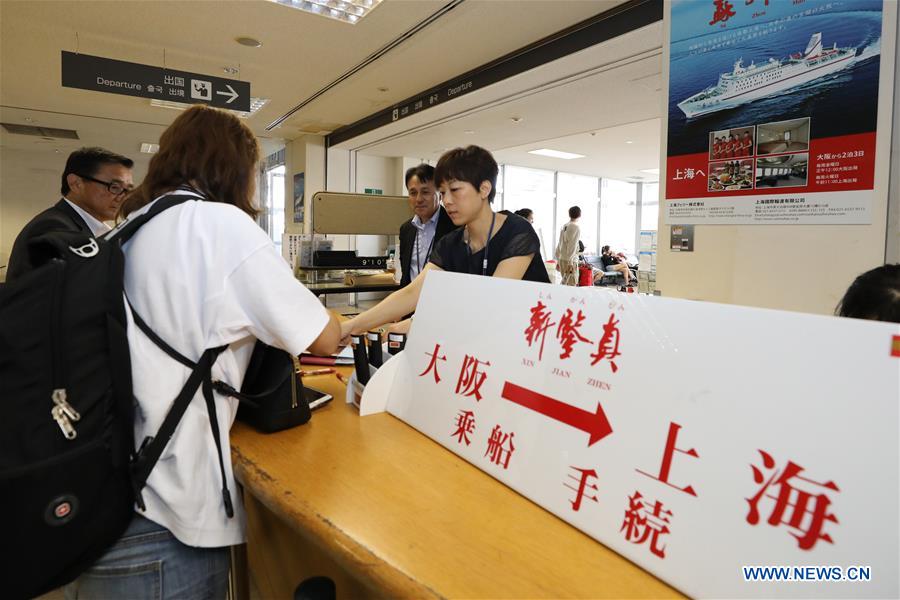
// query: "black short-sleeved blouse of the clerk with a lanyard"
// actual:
[[516, 237]]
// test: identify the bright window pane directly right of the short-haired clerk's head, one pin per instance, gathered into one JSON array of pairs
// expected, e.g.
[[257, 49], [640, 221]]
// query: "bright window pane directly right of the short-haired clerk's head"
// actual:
[[532, 188]]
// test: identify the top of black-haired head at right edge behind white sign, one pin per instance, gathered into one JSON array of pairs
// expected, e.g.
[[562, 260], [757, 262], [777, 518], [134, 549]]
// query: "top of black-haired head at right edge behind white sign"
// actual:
[[874, 295]]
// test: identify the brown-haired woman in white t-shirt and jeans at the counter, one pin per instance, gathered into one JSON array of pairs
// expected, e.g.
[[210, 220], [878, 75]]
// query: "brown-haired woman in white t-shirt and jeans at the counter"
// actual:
[[202, 274]]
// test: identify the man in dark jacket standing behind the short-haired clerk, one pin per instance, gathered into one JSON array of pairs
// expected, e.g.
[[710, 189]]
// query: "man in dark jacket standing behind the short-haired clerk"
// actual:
[[431, 223]]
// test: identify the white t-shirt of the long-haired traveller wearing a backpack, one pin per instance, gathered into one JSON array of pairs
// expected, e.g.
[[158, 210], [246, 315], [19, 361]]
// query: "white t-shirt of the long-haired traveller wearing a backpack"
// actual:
[[203, 274]]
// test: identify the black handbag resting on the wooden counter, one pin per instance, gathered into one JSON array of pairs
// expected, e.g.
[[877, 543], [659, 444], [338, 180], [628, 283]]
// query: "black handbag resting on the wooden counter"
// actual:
[[271, 397]]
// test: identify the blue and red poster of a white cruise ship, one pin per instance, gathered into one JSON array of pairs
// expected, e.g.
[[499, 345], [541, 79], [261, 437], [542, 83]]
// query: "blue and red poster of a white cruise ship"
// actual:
[[772, 111]]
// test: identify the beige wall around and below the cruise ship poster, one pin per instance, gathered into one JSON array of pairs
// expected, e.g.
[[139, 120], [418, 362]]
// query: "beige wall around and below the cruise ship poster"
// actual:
[[791, 267]]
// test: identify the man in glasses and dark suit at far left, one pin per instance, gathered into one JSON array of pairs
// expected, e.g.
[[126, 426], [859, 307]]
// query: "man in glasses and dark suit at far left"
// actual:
[[94, 183]]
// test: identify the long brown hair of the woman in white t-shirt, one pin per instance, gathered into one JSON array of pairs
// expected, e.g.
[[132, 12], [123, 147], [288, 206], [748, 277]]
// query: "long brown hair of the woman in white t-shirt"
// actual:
[[209, 149]]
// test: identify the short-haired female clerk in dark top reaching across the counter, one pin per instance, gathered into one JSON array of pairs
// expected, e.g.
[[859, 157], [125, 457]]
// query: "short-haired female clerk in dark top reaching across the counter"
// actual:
[[497, 244]]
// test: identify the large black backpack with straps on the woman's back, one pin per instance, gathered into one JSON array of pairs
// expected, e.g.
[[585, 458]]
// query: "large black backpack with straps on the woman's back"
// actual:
[[69, 476]]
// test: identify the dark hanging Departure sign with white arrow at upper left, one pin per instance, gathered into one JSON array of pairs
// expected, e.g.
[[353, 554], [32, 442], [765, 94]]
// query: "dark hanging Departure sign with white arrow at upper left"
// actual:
[[99, 74]]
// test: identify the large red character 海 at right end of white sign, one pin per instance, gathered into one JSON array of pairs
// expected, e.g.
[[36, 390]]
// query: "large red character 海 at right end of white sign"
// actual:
[[800, 503]]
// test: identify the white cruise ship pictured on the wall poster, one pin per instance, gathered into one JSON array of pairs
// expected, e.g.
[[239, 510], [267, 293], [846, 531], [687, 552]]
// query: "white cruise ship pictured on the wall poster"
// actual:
[[745, 84]]
